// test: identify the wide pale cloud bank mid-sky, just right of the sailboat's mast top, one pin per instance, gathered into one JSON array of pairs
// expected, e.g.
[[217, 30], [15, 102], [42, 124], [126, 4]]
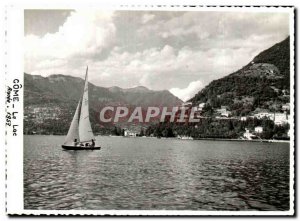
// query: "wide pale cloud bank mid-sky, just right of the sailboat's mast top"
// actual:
[[159, 68]]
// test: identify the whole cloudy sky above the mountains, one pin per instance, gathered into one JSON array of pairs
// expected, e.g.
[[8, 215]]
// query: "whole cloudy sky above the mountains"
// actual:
[[162, 50]]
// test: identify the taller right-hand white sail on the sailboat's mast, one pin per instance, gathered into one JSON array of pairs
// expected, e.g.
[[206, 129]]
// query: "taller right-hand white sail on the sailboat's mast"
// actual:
[[85, 129]]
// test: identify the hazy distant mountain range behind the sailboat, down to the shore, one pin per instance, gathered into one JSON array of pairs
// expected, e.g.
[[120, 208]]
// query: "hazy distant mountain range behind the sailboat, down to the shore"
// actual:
[[50, 103]]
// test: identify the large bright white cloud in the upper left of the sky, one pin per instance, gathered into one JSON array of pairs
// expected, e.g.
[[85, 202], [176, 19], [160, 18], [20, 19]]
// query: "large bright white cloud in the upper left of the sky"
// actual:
[[84, 34]]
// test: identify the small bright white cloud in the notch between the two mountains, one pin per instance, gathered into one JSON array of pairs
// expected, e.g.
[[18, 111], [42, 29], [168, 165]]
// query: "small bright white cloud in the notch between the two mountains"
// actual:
[[188, 92]]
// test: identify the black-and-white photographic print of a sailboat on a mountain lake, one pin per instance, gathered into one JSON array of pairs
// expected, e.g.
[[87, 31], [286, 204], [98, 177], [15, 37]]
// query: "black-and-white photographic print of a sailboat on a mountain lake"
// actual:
[[156, 111]]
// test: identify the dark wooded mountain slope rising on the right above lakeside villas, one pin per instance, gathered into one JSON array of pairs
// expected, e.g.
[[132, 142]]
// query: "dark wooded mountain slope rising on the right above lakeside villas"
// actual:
[[264, 83]]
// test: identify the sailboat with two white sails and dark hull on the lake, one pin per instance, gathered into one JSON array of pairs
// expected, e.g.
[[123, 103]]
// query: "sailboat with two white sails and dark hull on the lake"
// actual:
[[80, 135]]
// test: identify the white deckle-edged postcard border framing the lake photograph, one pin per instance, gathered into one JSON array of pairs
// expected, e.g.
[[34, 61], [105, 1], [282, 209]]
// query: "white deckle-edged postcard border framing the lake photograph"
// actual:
[[14, 145]]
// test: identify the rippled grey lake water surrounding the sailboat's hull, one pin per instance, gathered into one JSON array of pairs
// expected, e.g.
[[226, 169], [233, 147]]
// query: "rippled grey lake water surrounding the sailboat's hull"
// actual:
[[150, 173]]
